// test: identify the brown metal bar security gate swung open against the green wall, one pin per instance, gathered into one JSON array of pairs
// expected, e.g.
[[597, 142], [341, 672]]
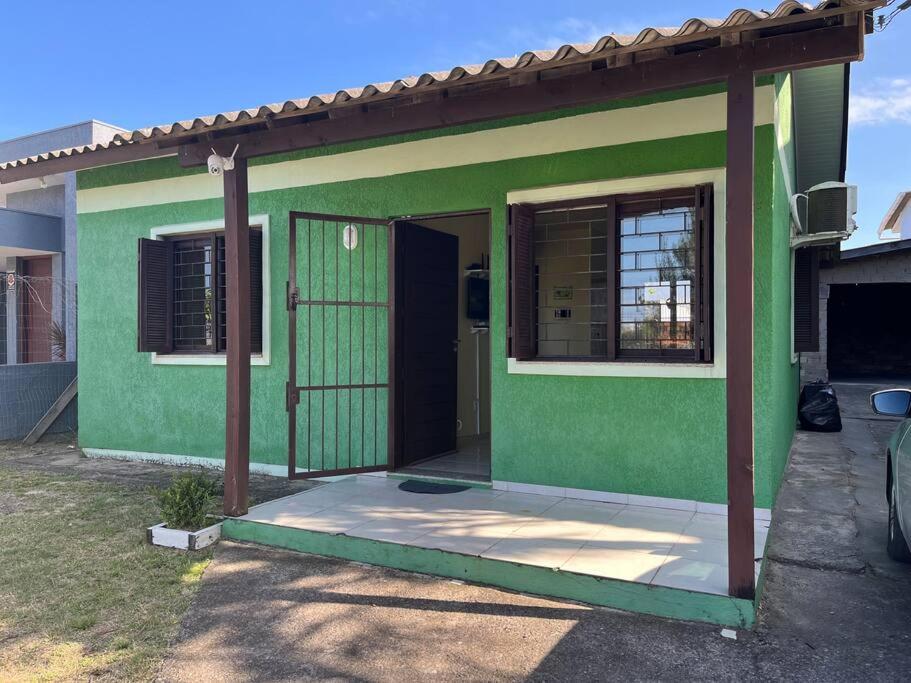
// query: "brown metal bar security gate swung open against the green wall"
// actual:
[[340, 304]]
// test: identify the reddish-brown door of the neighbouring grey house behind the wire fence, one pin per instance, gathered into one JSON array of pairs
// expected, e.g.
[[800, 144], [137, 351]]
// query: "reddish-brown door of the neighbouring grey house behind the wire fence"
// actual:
[[35, 294]]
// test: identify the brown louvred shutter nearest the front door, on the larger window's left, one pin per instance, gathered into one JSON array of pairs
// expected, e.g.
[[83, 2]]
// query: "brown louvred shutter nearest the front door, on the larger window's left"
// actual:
[[522, 308]]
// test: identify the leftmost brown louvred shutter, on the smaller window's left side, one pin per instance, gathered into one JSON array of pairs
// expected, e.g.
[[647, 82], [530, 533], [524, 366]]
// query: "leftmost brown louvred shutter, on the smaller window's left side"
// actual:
[[156, 287]]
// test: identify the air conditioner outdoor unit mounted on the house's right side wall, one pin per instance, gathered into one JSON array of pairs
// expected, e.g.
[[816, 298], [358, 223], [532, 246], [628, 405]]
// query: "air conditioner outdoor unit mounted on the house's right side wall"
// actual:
[[827, 216]]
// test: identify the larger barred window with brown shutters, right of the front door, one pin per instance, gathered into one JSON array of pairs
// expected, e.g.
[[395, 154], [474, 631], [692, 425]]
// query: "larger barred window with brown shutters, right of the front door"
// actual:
[[624, 277]]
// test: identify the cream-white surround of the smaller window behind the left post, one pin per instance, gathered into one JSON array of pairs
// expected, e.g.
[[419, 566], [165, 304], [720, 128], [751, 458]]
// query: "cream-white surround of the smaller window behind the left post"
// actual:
[[260, 221]]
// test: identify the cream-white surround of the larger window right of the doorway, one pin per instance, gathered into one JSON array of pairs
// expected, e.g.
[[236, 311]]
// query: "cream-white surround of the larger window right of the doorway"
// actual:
[[717, 369]]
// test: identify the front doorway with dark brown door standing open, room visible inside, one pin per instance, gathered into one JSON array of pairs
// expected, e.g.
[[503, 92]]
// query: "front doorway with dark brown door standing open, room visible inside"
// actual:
[[442, 346]]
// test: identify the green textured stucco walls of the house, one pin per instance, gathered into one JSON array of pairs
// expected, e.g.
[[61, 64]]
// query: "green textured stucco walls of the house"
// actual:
[[660, 437]]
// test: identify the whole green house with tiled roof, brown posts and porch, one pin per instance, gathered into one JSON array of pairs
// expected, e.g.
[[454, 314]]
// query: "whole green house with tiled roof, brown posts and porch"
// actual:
[[567, 275]]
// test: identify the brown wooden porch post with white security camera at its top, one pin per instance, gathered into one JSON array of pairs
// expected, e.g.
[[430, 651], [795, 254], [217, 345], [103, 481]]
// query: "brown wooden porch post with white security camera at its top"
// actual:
[[237, 280]]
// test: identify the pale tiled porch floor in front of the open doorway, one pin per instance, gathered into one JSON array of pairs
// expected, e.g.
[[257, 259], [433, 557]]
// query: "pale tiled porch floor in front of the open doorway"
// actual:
[[674, 548]]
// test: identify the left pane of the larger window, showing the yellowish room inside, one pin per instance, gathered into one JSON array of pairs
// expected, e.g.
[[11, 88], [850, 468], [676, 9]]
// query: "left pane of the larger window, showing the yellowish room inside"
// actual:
[[571, 282]]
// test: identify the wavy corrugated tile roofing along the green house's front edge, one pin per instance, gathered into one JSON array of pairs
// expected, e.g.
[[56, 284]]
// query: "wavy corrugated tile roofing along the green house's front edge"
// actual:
[[692, 31]]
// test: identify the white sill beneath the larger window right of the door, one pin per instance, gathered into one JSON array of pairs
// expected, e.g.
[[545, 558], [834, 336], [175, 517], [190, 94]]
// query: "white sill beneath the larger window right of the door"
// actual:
[[714, 370]]
